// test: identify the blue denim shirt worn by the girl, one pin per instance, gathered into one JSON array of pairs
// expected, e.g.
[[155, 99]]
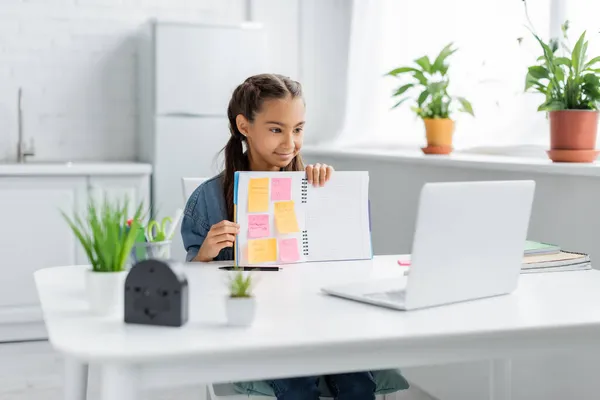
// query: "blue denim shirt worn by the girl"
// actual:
[[205, 207]]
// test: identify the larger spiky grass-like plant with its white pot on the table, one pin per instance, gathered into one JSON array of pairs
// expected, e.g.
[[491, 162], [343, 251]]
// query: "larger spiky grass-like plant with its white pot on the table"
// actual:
[[107, 241]]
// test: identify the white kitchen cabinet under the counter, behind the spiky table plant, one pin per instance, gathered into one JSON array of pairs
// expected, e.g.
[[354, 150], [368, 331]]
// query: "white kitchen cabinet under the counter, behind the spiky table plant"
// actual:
[[34, 235]]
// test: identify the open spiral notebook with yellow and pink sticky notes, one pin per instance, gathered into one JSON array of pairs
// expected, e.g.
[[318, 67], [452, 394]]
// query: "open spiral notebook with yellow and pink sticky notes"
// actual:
[[284, 219]]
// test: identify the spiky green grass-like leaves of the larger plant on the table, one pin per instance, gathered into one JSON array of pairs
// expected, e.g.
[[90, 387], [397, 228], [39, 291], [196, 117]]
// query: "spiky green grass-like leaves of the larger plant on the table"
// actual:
[[104, 234]]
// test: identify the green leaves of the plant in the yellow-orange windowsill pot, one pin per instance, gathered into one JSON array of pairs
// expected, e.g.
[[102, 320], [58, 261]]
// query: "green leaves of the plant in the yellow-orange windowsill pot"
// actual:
[[432, 80]]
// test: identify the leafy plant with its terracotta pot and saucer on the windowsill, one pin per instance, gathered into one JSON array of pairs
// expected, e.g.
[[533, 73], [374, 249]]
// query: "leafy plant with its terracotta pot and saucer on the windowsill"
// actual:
[[571, 87]]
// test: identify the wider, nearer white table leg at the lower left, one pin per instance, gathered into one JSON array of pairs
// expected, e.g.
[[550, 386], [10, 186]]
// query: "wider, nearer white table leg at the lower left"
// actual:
[[119, 382]]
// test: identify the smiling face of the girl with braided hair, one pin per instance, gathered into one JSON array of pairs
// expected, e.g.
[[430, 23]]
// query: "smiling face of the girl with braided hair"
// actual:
[[275, 136]]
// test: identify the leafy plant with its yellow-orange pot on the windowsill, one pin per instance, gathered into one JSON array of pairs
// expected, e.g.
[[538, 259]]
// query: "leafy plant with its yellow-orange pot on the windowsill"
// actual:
[[434, 105]]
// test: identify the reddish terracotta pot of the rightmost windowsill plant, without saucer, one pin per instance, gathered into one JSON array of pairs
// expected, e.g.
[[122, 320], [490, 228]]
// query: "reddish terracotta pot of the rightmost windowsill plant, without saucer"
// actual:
[[573, 129]]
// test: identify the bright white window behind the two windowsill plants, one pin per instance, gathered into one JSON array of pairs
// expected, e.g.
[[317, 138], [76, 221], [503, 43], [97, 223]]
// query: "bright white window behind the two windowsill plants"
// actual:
[[494, 50]]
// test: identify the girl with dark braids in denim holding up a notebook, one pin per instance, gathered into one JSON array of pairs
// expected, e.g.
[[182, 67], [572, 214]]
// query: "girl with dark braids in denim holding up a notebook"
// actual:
[[267, 113]]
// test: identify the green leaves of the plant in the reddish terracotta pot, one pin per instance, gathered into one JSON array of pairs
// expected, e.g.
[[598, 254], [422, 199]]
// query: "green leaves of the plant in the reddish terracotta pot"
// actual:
[[564, 76]]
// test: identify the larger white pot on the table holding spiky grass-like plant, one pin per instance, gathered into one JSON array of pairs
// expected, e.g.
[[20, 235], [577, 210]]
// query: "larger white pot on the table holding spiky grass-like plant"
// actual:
[[105, 291]]
